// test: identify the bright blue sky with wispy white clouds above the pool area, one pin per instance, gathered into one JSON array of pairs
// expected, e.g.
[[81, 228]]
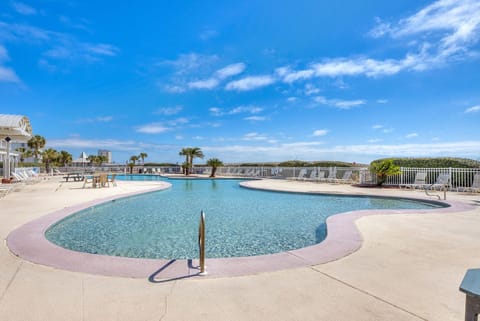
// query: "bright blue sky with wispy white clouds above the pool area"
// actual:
[[246, 80]]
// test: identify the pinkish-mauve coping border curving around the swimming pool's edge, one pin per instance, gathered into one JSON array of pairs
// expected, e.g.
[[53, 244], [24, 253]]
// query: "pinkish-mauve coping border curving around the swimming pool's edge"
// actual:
[[28, 242]]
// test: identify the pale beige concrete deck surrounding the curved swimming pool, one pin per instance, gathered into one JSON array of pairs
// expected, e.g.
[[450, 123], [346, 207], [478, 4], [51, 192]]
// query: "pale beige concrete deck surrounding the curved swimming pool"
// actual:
[[408, 267]]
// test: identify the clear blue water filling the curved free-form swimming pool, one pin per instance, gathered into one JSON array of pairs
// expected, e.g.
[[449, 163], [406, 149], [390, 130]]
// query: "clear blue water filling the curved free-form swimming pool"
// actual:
[[240, 222]]
